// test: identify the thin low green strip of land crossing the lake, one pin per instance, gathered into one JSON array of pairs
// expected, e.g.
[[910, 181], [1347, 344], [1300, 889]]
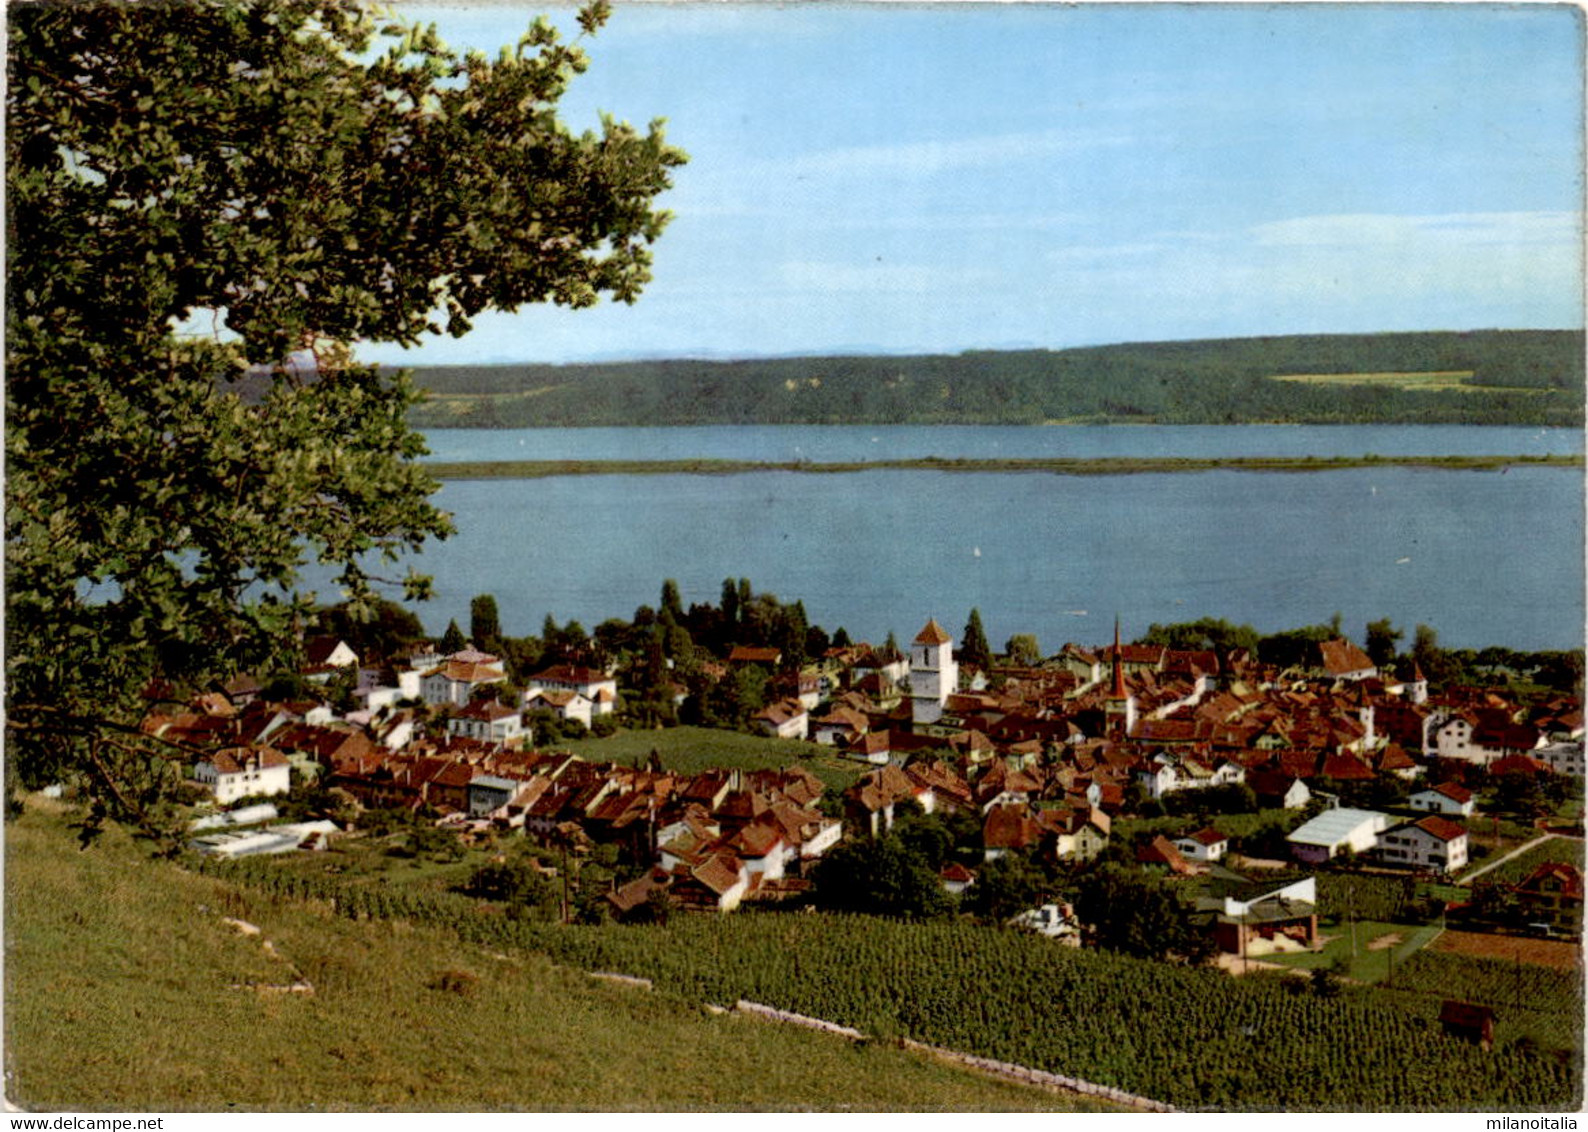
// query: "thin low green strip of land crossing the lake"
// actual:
[[1065, 468]]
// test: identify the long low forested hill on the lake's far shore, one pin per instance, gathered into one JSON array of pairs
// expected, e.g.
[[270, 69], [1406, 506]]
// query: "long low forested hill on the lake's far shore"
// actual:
[[1482, 377]]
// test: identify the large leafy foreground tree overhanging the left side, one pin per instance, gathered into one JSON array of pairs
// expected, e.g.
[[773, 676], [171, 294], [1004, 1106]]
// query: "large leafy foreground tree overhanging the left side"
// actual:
[[209, 206]]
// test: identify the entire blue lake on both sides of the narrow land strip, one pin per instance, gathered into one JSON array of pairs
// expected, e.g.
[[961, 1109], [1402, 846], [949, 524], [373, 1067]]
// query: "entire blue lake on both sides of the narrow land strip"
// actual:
[[1486, 558]]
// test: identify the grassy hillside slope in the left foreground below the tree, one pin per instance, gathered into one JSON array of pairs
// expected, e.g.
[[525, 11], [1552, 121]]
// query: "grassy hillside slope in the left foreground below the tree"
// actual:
[[118, 998]]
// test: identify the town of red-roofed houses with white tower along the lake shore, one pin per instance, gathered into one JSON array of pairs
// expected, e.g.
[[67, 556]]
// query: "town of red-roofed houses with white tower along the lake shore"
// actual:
[[1031, 790]]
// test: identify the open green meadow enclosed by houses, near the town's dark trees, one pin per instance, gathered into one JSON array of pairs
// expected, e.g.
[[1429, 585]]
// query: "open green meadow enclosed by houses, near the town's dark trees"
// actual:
[[695, 750]]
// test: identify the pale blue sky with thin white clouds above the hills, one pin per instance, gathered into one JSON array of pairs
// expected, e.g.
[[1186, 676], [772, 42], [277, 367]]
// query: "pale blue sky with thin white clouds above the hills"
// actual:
[[950, 177]]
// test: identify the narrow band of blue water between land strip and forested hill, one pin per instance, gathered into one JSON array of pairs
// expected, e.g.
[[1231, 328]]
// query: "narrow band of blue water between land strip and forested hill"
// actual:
[[987, 442]]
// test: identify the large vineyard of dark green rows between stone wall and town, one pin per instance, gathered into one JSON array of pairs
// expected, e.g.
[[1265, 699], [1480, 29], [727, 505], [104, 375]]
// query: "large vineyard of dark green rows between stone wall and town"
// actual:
[[1193, 1039]]
